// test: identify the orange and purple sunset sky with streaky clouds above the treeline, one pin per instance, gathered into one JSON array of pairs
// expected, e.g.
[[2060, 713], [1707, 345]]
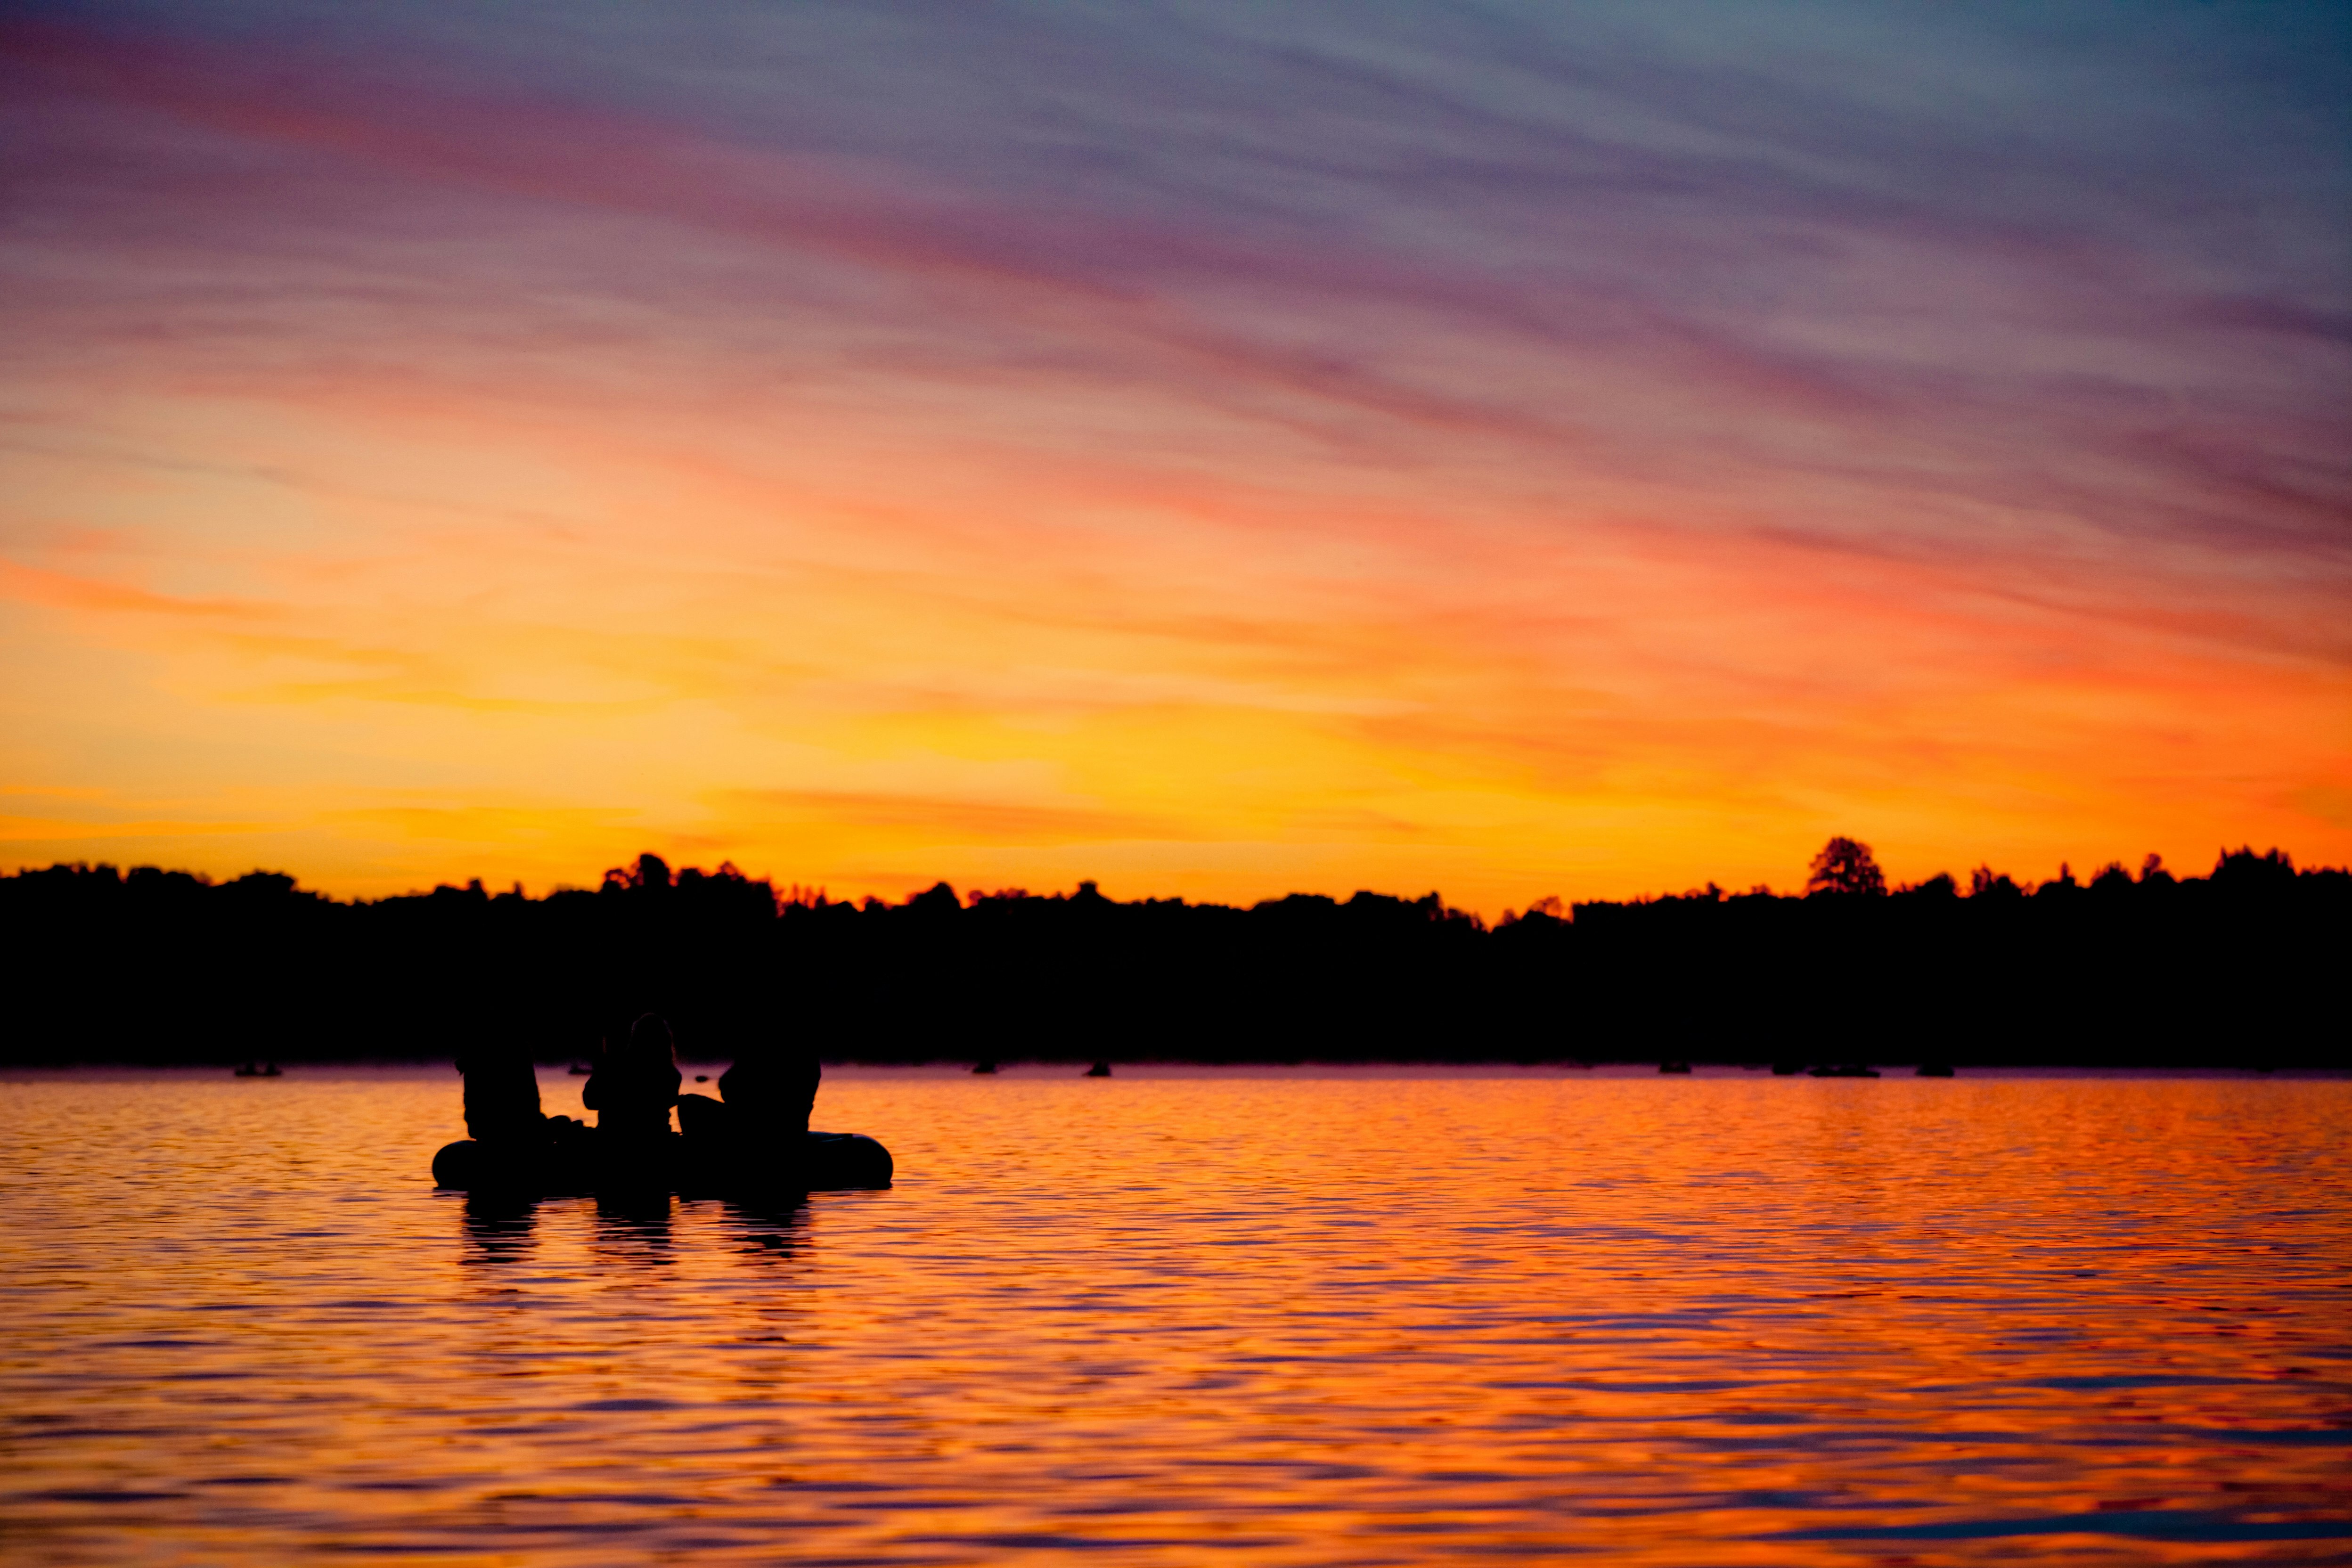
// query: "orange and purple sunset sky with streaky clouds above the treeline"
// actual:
[[1220, 450]]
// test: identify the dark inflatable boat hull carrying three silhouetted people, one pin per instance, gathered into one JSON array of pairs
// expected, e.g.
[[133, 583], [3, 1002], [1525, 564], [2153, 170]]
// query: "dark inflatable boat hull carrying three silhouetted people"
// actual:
[[822, 1162]]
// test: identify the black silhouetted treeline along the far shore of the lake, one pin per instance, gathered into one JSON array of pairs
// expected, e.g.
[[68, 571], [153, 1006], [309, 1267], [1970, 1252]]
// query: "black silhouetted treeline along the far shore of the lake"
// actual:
[[2243, 967]]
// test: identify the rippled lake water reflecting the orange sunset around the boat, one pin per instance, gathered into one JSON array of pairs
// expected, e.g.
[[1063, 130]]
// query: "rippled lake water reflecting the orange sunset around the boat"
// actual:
[[1189, 1320]]
